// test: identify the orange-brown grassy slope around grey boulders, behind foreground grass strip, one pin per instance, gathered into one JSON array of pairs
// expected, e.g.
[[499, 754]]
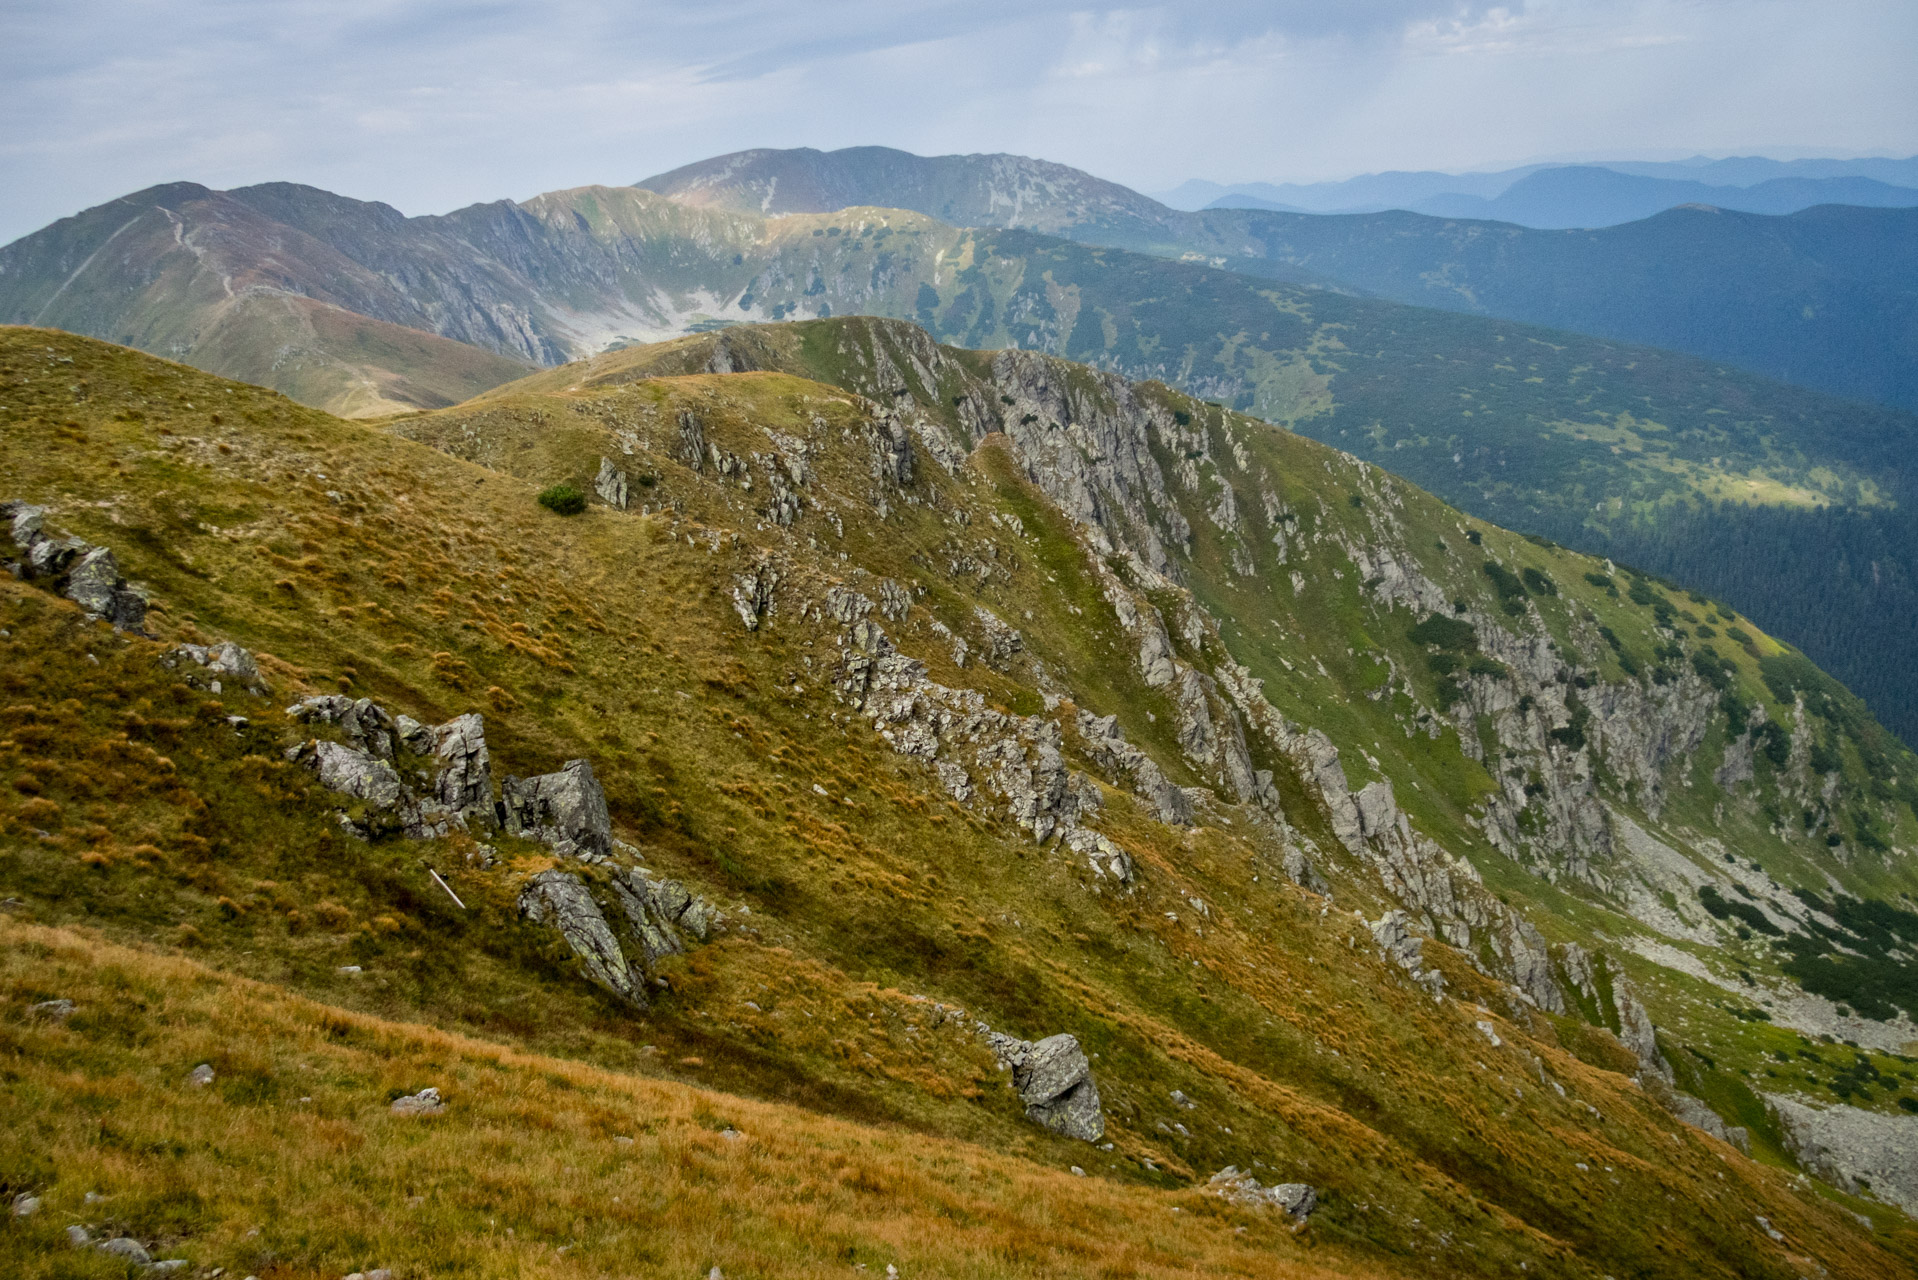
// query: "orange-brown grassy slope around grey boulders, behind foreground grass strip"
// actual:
[[438, 586]]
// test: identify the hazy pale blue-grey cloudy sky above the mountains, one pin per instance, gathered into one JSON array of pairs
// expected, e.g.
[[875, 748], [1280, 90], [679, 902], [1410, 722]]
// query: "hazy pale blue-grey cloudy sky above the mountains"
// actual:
[[431, 105]]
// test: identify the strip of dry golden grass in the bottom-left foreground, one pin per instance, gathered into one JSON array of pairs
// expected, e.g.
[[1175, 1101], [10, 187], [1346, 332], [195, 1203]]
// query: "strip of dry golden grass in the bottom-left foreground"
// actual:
[[291, 1164]]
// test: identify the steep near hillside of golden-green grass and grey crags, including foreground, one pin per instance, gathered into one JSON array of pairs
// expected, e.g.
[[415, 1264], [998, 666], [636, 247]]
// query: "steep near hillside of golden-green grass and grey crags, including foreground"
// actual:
[[939, 703]]
